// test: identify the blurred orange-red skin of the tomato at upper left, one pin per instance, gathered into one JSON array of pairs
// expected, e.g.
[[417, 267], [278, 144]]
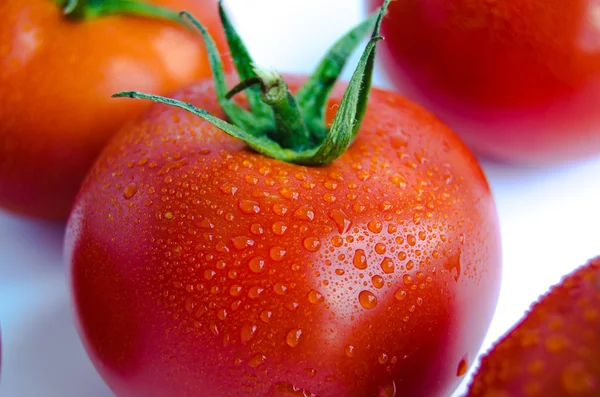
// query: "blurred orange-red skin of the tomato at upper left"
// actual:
[[56, 79]]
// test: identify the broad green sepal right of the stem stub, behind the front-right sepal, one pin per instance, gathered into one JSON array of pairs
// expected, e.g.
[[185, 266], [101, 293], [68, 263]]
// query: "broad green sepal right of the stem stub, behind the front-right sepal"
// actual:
[[312, 96]]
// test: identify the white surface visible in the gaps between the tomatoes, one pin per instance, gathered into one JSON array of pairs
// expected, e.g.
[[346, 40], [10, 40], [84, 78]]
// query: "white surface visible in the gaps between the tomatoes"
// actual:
[[549, 220]]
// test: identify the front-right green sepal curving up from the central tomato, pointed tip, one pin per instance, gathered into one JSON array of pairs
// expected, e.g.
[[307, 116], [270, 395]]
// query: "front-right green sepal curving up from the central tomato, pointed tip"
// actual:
[[350, 113]]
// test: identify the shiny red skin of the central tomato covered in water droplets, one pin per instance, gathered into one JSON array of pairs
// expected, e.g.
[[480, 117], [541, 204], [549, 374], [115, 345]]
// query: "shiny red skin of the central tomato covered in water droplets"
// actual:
[[182, 241]]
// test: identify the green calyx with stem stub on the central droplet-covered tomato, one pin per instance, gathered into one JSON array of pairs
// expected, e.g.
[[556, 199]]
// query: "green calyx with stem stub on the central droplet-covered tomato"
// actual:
[[281, 125]]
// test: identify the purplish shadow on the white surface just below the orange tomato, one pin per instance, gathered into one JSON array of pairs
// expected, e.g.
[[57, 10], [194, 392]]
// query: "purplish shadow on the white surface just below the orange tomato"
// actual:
[[28, 247]]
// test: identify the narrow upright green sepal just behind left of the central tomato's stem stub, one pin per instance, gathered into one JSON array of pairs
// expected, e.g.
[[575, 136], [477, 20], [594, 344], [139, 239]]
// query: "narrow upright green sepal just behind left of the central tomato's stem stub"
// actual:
[[244, 65]]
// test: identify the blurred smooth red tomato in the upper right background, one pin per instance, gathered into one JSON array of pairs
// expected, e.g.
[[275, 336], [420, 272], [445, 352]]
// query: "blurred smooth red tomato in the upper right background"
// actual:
[[519, 81]]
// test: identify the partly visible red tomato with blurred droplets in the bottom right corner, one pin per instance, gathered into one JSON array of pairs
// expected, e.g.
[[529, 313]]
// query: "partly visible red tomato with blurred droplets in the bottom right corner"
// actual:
[[554, 351]]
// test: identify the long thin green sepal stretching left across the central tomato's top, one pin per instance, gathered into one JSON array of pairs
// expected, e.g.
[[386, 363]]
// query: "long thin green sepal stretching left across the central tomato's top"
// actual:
[[261, 144]]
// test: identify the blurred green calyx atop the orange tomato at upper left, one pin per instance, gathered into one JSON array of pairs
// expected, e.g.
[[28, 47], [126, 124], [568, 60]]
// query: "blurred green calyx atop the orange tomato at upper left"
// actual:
[[89, 9]]
